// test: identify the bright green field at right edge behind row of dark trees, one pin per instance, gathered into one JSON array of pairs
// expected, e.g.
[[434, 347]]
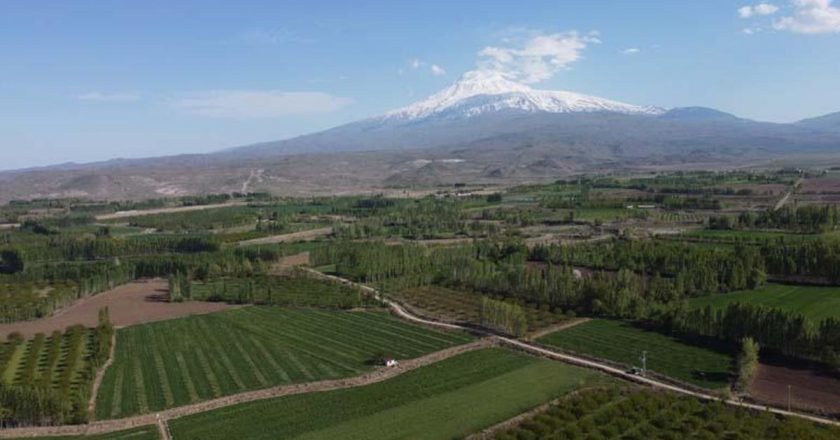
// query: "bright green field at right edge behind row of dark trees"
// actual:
[[813, 302]]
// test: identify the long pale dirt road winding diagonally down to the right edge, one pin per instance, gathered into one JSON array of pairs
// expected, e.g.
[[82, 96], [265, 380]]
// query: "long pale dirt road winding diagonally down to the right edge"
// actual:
[[587, 363]]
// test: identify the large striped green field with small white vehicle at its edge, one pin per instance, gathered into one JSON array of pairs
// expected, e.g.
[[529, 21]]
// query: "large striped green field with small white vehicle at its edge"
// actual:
[[177, 362]]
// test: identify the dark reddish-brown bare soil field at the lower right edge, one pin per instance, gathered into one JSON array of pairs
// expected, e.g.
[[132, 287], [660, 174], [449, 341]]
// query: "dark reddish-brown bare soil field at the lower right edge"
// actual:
[[810, 390]]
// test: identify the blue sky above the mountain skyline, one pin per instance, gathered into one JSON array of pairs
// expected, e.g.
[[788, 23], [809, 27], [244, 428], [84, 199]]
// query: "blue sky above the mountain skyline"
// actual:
[[83, 80]]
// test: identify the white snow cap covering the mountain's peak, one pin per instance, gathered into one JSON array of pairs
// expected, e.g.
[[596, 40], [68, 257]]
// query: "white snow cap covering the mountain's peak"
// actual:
[[479, 92]]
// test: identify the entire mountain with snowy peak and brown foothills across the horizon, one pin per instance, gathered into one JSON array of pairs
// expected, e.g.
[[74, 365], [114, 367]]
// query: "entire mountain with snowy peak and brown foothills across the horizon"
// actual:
[[484, 128]]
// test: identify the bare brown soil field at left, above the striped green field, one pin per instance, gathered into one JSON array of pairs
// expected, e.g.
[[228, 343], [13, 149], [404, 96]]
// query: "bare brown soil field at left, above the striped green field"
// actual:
[[135, 303]]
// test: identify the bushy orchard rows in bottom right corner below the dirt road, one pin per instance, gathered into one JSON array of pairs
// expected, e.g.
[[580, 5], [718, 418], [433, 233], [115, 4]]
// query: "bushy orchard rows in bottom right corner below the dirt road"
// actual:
[[632, 413]]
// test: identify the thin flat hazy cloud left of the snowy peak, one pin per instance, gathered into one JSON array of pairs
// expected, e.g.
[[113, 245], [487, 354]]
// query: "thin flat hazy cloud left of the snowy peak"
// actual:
[[251, 104]]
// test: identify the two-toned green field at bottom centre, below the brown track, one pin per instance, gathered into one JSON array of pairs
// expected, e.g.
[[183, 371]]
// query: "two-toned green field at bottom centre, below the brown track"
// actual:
[[448, 399]]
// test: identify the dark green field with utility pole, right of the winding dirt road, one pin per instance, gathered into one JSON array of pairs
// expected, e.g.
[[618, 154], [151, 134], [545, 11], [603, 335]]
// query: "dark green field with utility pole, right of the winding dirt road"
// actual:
[[623, 343]]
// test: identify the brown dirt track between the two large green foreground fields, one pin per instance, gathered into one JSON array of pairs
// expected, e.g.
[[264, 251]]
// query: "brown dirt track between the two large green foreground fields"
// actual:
[[162, 417]]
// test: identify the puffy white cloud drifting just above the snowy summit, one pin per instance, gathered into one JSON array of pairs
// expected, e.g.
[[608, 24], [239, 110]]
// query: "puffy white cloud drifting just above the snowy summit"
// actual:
[[538, 58]]
